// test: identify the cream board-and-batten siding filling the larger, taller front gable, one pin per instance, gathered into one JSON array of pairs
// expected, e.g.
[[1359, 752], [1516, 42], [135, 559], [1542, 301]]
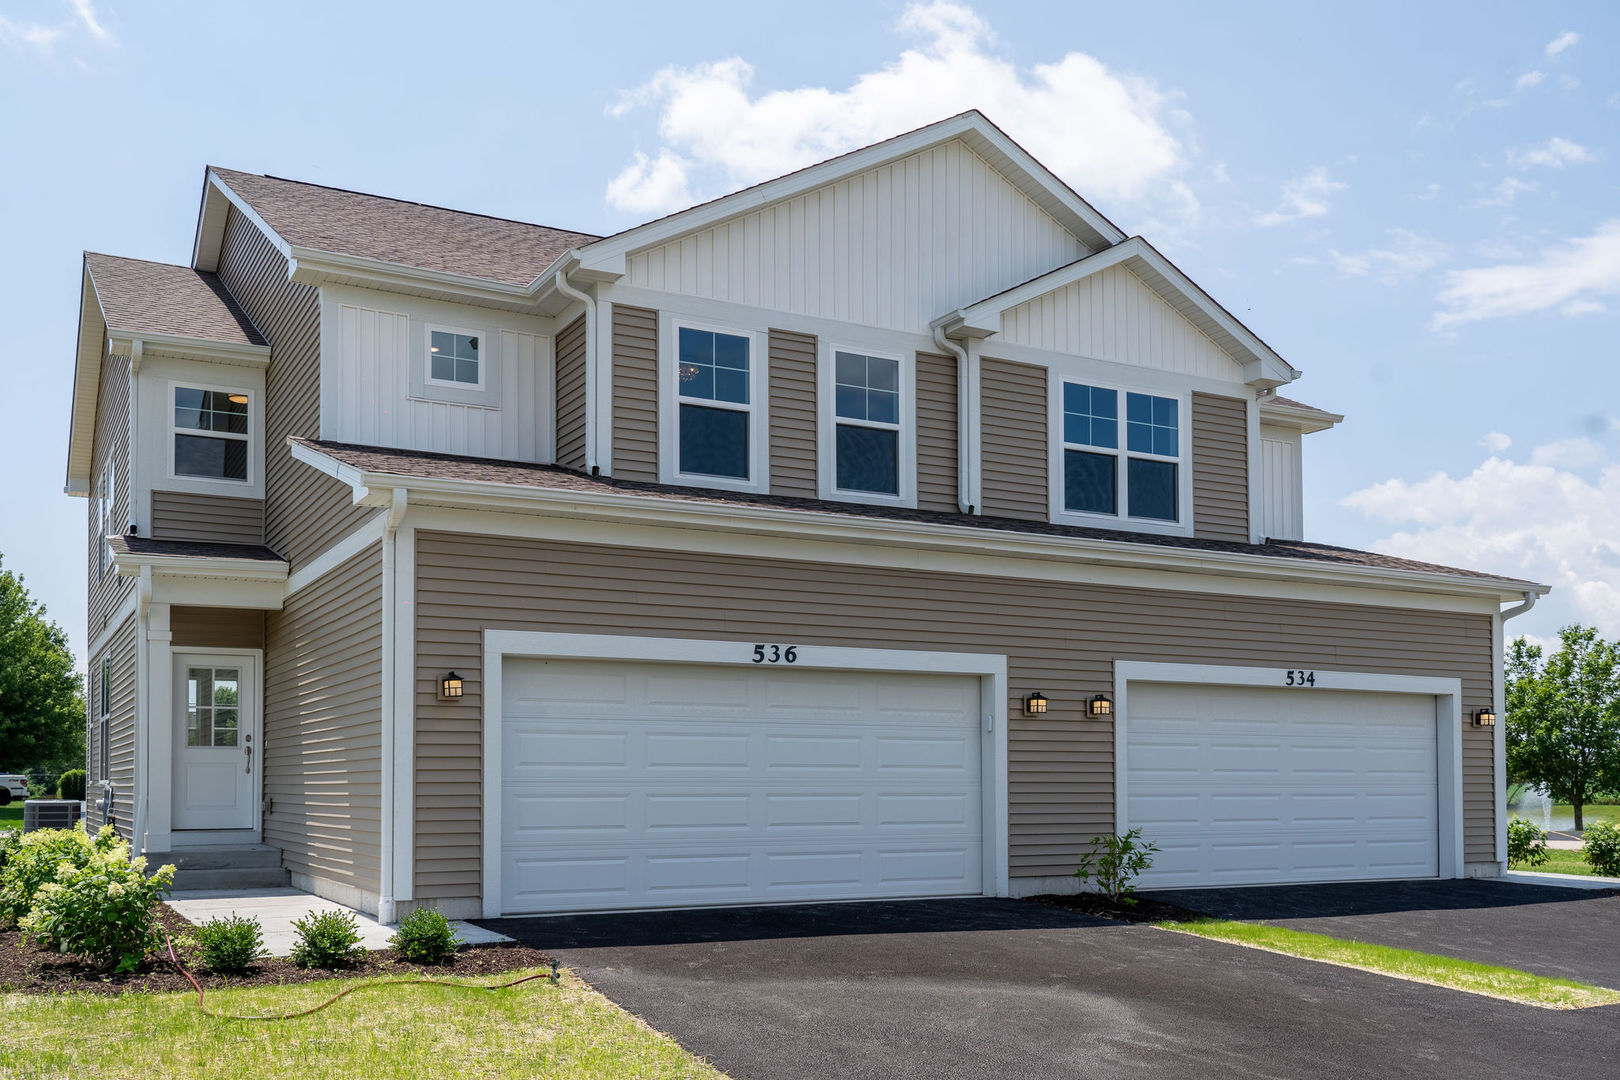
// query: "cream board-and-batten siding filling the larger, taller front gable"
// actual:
[[893, 247]]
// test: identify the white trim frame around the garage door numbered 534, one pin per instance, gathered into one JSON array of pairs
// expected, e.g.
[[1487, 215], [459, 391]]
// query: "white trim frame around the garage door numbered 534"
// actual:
[[1449, 728]]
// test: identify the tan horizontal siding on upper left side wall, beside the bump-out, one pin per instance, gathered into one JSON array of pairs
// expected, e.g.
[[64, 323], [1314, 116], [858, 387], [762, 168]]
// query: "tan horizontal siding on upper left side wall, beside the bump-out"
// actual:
[[305, 512]]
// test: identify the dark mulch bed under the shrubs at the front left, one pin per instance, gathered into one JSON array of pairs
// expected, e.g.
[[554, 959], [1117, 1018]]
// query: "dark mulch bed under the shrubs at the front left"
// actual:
[[33, 971]]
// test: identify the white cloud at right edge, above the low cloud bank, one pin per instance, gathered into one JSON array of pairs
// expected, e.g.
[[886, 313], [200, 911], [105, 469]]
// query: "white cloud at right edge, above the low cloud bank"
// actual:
[[1572, 278]]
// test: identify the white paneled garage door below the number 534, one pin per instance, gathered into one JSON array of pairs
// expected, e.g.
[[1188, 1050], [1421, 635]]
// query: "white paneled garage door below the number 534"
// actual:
[[1243, 786]]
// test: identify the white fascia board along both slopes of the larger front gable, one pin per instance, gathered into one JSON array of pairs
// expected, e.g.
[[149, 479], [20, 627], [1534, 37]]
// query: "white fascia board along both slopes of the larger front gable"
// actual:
[[608, 255]]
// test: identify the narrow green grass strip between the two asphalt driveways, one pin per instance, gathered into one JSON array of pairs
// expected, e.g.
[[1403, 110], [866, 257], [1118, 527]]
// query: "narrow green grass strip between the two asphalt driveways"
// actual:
[[1422, 967]]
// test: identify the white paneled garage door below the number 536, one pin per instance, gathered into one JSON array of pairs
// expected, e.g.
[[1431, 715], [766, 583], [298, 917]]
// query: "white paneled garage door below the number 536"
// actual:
[[633, 786]]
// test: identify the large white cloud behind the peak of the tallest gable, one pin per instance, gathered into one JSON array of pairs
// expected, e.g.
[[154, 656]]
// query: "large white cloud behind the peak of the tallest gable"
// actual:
[[717, 134]]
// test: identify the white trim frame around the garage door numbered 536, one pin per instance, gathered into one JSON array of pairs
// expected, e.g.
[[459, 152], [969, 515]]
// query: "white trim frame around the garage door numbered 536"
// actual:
[[590, 647]]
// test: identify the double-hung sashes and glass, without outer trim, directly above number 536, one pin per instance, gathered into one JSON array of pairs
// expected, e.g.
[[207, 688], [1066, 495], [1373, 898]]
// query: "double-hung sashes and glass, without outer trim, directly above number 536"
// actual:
[[715, 404]]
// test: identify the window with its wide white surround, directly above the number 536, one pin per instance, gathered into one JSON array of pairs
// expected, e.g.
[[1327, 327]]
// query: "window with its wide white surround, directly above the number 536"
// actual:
[[714, 415]]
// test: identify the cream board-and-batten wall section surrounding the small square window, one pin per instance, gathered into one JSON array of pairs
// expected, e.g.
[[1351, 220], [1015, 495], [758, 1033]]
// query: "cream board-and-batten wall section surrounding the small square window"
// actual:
[[375, 391]]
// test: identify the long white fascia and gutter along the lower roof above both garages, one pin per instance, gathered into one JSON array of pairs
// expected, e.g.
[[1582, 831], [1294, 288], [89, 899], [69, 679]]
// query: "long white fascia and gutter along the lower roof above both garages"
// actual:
[[986, 543]]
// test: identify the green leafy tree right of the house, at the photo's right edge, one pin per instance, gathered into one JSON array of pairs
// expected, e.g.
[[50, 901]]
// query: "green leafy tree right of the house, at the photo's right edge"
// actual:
[[1564, 716]]
